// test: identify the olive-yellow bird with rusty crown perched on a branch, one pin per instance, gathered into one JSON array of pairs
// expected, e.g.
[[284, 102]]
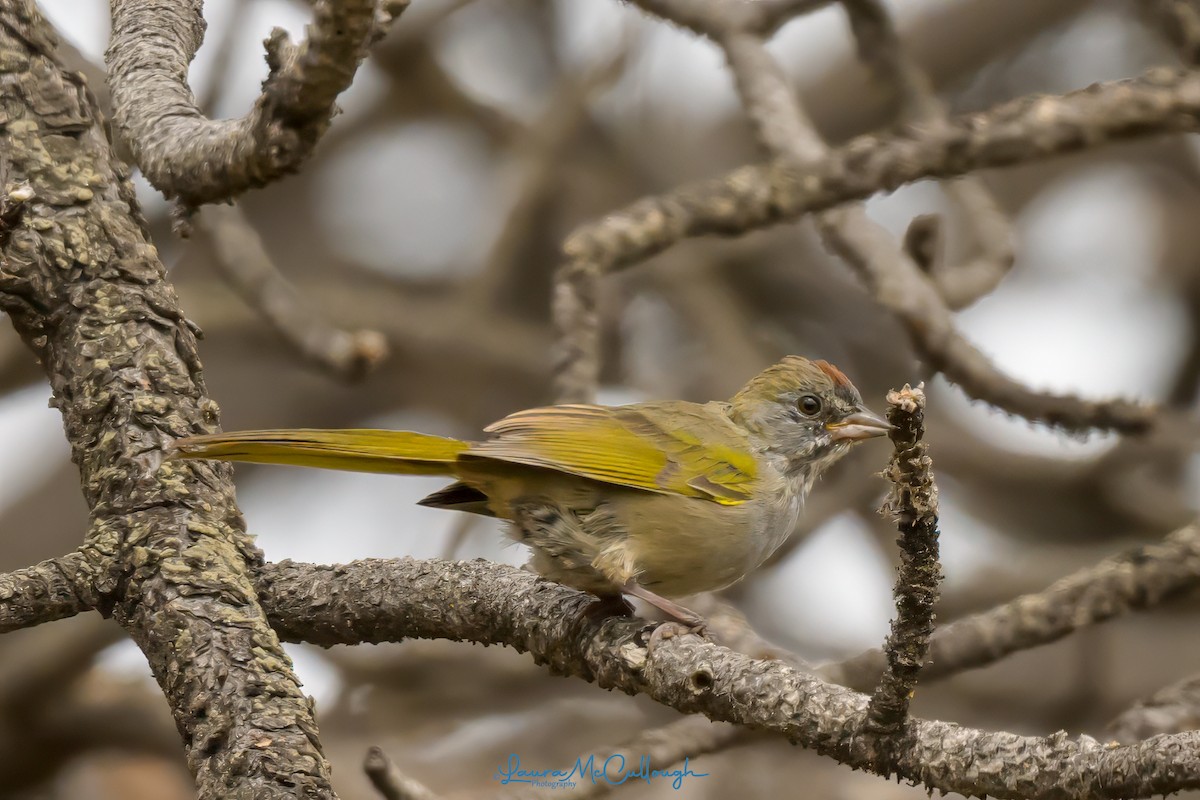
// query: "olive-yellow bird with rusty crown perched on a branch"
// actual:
[[655, 501]]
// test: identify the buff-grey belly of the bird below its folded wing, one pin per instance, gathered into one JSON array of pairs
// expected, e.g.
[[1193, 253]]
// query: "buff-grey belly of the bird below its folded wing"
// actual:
[[683, 546]]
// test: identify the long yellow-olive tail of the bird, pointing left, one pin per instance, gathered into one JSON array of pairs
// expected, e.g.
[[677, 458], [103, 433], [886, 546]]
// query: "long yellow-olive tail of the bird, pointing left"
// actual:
[[361, 450]]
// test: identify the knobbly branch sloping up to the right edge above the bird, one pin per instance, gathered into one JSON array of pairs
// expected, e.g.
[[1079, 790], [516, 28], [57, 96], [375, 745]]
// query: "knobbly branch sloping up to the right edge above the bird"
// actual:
[[1021, 131]]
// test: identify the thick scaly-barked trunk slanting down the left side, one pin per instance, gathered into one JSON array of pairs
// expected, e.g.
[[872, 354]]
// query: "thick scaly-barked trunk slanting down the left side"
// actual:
[[167, 554]]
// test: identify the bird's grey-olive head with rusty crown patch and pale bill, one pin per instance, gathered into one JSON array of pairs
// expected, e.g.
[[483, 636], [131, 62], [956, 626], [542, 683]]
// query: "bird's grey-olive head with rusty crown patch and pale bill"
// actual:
[[806, 411]]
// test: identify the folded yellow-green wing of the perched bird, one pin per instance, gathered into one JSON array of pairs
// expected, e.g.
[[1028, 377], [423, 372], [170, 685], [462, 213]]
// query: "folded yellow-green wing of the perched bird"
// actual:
[[671, 449]]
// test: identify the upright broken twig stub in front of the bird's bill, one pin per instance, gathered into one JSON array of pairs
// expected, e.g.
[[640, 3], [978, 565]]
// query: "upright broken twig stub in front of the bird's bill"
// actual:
[[914, 502]]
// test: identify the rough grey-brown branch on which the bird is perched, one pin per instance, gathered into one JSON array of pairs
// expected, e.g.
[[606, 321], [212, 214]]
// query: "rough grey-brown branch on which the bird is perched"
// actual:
[[410, 598]]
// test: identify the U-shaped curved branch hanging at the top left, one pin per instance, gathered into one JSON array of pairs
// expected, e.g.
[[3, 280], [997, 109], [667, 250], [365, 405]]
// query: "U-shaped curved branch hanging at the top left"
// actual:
[[197, 160]]
